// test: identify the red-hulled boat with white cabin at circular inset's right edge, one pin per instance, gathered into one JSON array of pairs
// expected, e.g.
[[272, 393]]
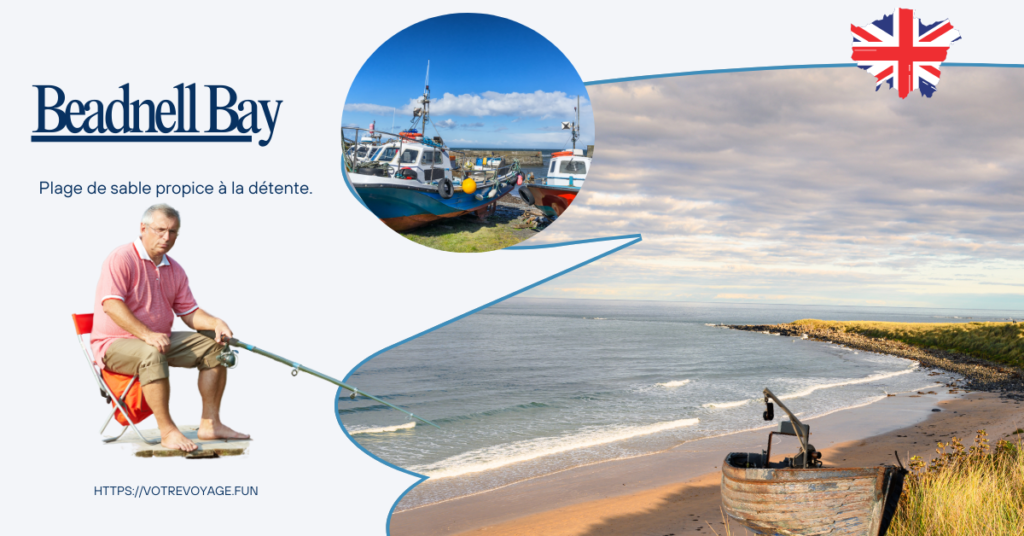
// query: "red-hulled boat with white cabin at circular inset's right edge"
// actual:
[[566, 176]]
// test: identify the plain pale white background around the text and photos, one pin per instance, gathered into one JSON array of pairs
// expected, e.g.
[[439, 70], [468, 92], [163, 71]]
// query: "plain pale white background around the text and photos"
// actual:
[[315, 278]]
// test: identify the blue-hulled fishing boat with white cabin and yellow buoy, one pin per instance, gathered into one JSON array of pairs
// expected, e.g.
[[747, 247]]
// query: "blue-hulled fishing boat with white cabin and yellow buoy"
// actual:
[[411, 180]]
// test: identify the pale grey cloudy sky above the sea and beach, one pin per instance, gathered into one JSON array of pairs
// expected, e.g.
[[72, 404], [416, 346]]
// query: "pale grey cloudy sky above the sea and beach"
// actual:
[[806, 187]]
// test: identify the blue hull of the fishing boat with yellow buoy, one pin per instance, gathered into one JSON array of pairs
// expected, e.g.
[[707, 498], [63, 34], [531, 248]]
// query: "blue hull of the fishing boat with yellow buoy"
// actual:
[[407, 209]]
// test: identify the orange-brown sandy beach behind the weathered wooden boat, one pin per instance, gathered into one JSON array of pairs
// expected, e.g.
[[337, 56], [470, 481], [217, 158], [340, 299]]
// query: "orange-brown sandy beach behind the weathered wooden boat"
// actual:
[[676, 491]]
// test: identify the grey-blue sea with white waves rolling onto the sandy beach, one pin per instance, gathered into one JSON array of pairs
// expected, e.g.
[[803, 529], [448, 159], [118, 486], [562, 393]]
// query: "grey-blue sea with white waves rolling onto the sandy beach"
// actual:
[[533, 387]]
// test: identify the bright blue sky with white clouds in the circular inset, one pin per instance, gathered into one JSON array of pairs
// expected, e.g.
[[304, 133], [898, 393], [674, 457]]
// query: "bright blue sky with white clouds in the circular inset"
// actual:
[[513, 92]]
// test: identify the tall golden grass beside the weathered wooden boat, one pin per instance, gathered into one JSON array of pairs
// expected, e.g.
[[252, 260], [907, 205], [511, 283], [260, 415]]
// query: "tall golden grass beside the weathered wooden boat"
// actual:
[[974, 490]]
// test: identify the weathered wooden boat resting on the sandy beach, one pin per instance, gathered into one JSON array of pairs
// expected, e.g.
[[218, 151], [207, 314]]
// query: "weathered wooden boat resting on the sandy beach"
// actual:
[[801, 497]]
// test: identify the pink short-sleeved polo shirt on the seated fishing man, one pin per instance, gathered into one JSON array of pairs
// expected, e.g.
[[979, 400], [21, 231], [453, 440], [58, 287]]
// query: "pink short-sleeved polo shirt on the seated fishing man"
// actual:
[[155, 295]]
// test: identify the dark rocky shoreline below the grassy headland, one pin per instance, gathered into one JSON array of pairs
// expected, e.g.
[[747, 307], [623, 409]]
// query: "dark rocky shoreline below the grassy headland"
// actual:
[[979, 375]]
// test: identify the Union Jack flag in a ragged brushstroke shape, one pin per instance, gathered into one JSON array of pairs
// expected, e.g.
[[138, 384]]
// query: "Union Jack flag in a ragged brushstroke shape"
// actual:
[[903, 51]]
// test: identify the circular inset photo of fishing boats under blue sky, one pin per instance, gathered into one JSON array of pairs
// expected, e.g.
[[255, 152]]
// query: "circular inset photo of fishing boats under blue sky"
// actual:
[[467, 145]]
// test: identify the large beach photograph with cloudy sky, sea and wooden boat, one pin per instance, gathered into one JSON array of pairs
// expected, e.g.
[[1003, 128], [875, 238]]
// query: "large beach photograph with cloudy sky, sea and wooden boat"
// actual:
[[822, 329]]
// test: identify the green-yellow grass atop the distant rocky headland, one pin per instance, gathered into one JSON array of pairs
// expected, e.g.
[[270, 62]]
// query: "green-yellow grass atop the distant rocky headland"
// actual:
[[996, 342]]
